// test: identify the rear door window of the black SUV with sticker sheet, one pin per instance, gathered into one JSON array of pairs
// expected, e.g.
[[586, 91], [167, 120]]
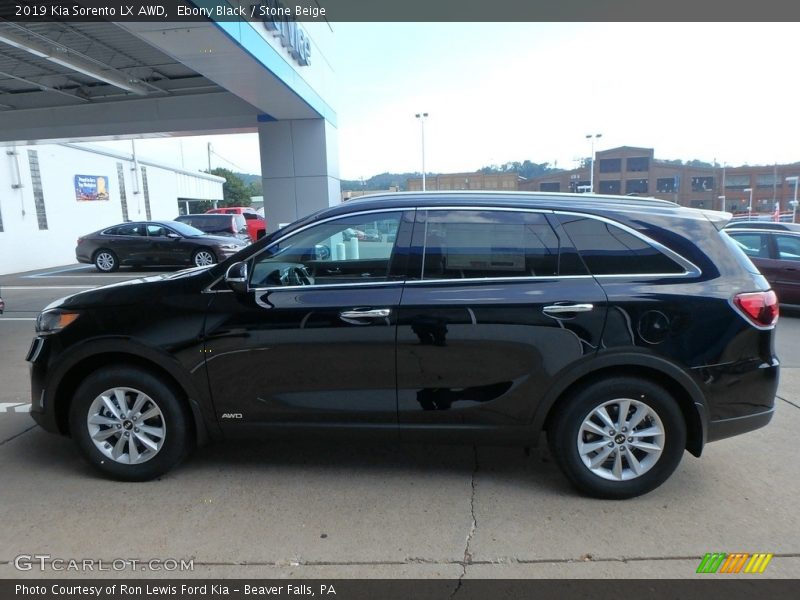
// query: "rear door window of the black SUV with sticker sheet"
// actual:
[[470, 244]]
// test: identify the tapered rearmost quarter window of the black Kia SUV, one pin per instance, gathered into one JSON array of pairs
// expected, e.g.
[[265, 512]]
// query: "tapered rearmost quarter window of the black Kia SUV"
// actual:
[[610, 250]]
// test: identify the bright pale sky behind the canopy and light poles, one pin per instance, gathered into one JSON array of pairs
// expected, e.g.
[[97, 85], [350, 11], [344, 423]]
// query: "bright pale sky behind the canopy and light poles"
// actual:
[[500, 92]]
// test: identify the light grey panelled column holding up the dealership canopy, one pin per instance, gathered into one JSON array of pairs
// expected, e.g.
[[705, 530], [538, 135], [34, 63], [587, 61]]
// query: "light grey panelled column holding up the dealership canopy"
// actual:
[[299, 168]]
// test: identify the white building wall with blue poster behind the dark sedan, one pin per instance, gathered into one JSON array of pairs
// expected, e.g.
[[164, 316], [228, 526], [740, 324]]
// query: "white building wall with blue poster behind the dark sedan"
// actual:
[[24, 246]]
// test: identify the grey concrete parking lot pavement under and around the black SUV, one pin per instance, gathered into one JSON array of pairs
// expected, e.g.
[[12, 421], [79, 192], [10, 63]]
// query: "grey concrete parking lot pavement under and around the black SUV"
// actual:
[[355, 510]]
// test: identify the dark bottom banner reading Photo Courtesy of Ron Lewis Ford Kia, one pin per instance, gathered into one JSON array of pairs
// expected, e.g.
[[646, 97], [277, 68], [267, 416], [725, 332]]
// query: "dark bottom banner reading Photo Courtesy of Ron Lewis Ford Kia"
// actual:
[[714, 587]]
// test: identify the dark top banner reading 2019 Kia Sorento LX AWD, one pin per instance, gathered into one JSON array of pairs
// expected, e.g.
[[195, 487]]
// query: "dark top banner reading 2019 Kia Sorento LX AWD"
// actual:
[[186, 11]]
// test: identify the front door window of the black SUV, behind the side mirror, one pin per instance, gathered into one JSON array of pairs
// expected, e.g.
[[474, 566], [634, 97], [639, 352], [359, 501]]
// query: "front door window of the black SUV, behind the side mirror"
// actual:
[[355, 249]]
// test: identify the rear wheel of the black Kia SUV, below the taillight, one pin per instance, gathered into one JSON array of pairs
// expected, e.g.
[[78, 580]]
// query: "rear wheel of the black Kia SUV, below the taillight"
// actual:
[[633, 464]]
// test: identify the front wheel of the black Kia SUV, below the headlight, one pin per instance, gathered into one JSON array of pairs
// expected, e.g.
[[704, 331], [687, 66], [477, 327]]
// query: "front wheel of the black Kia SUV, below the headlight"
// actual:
[[102, 412]]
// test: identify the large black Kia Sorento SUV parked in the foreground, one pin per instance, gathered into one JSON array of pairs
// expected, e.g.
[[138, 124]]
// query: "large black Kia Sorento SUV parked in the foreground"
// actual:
[[629, 330]]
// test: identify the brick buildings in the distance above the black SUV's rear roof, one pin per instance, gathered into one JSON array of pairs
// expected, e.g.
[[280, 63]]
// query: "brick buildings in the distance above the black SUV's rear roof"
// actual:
[[635, 171]]
